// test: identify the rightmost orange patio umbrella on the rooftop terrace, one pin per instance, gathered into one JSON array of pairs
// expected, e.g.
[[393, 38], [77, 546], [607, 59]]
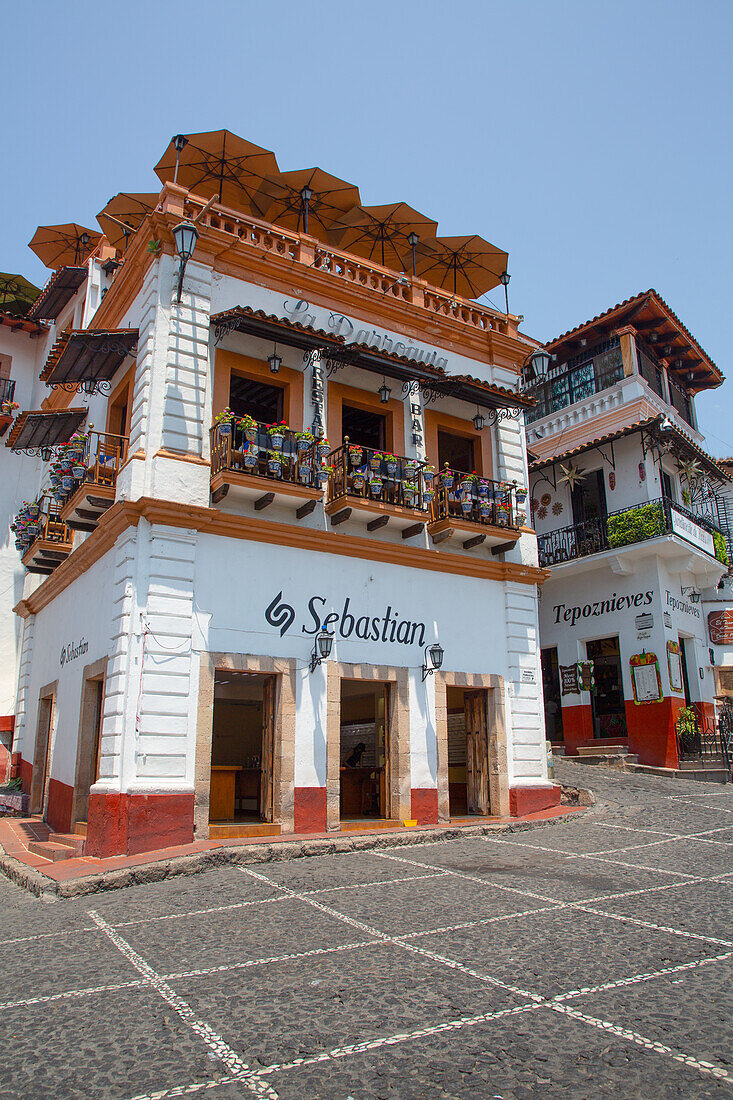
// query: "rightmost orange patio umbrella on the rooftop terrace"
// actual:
[[465, 266]]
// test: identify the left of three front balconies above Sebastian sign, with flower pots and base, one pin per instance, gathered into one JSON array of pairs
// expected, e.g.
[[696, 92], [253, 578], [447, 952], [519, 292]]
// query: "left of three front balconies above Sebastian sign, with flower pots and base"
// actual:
[[258, 466]]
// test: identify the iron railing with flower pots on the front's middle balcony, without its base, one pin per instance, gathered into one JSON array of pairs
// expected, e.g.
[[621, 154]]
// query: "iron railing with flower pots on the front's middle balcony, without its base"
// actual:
[[373, 475]]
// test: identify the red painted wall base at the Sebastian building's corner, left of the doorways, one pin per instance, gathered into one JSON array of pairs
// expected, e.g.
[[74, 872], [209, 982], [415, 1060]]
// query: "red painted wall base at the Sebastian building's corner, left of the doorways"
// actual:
[[127, 824]]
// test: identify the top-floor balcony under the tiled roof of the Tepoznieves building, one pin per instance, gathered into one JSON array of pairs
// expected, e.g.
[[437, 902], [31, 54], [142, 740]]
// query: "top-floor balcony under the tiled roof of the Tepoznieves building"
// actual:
[[581, 378]]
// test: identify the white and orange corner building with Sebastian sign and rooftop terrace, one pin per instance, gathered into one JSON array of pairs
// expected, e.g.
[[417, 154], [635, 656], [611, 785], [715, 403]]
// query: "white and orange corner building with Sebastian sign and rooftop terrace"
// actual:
[[170, 683]]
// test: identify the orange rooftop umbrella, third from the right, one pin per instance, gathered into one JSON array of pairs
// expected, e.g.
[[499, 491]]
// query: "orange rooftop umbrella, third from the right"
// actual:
[[309, 201]]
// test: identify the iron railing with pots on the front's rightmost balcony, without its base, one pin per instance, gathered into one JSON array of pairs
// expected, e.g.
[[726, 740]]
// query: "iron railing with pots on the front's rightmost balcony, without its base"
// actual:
[[478, 500]]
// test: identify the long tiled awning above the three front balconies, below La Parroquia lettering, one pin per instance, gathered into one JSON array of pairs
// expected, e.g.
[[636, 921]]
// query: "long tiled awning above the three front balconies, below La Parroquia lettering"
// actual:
[[336, 354]]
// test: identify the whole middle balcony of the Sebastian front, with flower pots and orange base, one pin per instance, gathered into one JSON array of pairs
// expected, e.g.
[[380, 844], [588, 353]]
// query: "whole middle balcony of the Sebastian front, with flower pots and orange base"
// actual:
[[378, 489]]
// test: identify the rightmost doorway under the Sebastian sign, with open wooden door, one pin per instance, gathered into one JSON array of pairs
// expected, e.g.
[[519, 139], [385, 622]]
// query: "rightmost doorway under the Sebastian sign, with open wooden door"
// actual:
[[468, 752]]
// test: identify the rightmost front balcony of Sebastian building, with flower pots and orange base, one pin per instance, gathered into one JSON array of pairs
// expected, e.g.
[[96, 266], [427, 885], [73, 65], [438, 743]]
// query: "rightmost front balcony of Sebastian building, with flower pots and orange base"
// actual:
[[475, 510]]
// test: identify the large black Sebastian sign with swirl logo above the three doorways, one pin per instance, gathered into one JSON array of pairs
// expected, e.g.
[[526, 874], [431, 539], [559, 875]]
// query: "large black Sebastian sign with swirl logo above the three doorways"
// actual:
[[348, 623]]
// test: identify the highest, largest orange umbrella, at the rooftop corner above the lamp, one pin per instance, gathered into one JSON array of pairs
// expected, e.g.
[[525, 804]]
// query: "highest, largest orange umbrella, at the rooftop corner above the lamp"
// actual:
[[220, 166]]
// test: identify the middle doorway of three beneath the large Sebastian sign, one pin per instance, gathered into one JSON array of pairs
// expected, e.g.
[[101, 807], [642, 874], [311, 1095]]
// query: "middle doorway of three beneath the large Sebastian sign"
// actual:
[[365, 751]]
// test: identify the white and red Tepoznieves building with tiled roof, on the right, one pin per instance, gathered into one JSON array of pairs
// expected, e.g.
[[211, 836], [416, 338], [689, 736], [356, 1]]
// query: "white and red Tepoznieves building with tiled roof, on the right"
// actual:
[[627, 508]]
